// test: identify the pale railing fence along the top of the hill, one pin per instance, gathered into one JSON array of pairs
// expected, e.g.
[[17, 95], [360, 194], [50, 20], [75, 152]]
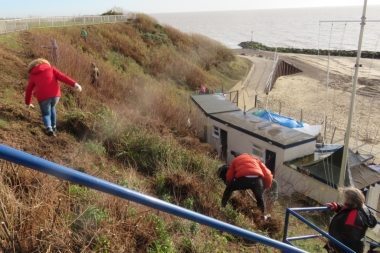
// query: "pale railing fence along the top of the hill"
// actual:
[[13, 25]]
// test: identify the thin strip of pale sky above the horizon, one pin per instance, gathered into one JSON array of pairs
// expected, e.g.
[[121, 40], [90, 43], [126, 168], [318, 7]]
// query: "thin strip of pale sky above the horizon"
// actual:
[[49, 8]]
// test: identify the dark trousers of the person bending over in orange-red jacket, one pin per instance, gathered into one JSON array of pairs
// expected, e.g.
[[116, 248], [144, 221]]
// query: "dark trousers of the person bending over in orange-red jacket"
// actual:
[[255, 184]]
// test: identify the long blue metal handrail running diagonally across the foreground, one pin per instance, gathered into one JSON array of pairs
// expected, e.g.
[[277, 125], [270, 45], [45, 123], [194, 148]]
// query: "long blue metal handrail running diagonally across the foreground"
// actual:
[[39, 164]]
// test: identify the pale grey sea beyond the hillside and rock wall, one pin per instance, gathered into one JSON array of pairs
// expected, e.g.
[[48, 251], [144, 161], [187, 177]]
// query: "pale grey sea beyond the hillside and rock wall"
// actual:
[[331, 28]]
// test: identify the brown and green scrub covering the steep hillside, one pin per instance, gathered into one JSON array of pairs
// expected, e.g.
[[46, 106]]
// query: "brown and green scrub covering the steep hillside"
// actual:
[[132, 129]]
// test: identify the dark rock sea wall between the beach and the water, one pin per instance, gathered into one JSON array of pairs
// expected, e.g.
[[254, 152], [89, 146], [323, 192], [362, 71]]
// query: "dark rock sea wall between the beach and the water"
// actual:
[[347, 53]]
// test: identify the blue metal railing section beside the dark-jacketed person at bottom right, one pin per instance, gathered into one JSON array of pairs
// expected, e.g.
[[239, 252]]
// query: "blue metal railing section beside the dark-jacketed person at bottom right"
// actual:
[[294, 211]]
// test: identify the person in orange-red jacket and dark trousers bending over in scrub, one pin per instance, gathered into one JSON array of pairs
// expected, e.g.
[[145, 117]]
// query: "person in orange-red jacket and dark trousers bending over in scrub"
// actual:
[[247, 172]]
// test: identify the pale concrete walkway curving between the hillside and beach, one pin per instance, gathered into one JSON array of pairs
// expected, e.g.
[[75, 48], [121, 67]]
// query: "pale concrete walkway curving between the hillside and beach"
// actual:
[[255, 81]]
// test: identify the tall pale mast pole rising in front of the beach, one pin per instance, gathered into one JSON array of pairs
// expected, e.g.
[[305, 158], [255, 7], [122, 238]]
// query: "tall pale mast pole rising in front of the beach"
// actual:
[[352, 105]]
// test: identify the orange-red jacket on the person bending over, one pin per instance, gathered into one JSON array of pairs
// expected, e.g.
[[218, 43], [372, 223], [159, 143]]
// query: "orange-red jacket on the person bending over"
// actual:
[[247, 165]]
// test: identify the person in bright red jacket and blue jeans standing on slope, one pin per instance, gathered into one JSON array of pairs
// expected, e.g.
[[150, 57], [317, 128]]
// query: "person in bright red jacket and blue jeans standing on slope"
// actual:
[[43, 82]]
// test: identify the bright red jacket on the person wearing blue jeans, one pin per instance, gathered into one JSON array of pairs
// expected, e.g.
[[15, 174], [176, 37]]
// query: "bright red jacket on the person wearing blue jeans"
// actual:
[[43, 81]]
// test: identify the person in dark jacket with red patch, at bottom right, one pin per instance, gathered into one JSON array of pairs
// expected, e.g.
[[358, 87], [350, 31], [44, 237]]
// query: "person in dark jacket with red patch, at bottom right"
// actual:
[[351, 221]]
